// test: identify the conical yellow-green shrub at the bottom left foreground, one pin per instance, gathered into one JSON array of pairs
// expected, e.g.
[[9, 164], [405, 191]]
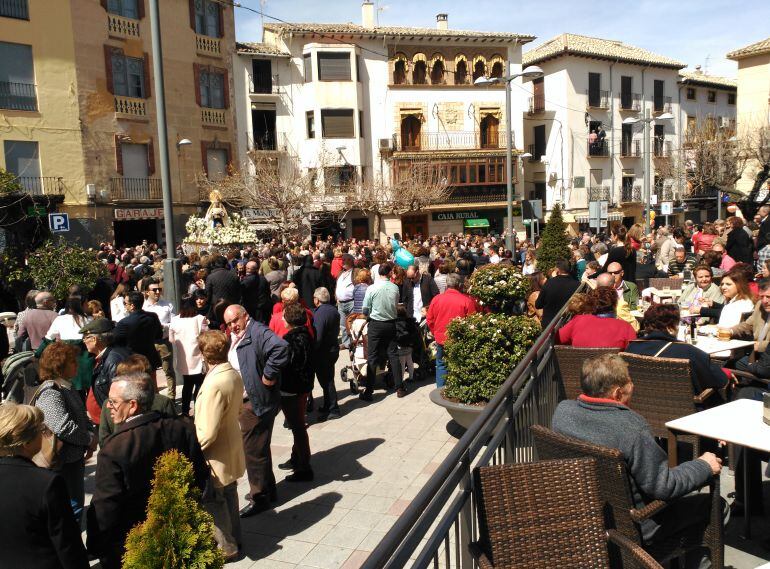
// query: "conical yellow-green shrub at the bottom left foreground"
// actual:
[[178, 532]]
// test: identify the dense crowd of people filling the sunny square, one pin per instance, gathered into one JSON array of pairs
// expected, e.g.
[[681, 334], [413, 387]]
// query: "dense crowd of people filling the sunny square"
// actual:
[[257, 327]]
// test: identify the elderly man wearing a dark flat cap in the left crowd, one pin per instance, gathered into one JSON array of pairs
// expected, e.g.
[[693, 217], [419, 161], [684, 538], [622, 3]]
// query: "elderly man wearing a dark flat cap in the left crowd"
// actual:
[[99, 341]]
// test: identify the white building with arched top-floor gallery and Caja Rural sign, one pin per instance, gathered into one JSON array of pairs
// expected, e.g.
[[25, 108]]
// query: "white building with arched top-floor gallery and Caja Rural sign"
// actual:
[[356, 103]]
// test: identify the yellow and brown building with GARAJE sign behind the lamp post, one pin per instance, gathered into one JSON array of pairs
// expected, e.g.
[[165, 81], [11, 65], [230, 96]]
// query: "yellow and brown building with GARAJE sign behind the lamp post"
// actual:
[[81, 112]]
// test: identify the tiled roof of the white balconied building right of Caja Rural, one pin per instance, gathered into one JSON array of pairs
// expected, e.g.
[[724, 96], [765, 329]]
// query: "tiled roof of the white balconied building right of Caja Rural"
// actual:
[[573, 44]]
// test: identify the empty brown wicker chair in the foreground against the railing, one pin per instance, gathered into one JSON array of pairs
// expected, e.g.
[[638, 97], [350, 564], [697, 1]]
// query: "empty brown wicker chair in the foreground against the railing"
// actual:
[[546, 515]]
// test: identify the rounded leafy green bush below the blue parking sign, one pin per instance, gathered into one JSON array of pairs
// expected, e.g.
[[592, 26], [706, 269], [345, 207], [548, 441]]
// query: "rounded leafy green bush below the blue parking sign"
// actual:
[[57, 266]]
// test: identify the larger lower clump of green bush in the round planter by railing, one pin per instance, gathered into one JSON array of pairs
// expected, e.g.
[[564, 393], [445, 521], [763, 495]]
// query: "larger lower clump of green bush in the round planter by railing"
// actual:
[[482, 350]]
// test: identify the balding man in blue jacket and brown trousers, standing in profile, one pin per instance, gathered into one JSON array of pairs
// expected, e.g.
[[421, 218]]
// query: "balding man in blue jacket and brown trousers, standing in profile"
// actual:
[[260, 356]]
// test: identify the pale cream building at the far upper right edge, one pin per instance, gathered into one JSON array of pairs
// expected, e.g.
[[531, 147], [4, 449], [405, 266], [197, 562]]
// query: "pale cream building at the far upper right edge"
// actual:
[[753, 99]]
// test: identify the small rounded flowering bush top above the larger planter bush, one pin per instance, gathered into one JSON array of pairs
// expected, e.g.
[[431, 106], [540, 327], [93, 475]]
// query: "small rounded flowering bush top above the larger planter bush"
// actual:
[[501, 288]]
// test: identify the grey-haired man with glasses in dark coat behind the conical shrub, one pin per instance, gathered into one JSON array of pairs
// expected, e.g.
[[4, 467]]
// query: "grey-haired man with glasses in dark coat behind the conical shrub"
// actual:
[[124, 472]]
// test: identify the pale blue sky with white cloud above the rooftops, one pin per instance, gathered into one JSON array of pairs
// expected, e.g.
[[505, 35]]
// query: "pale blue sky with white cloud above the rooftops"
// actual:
[[688, 30]]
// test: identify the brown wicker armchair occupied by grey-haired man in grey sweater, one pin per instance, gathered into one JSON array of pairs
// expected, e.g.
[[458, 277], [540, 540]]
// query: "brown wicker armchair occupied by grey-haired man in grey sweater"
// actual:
[[616, 496]]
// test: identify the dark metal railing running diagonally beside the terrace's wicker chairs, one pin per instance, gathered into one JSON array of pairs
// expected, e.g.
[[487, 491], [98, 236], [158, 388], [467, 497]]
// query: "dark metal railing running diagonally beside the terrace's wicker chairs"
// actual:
[[443, 512]]
